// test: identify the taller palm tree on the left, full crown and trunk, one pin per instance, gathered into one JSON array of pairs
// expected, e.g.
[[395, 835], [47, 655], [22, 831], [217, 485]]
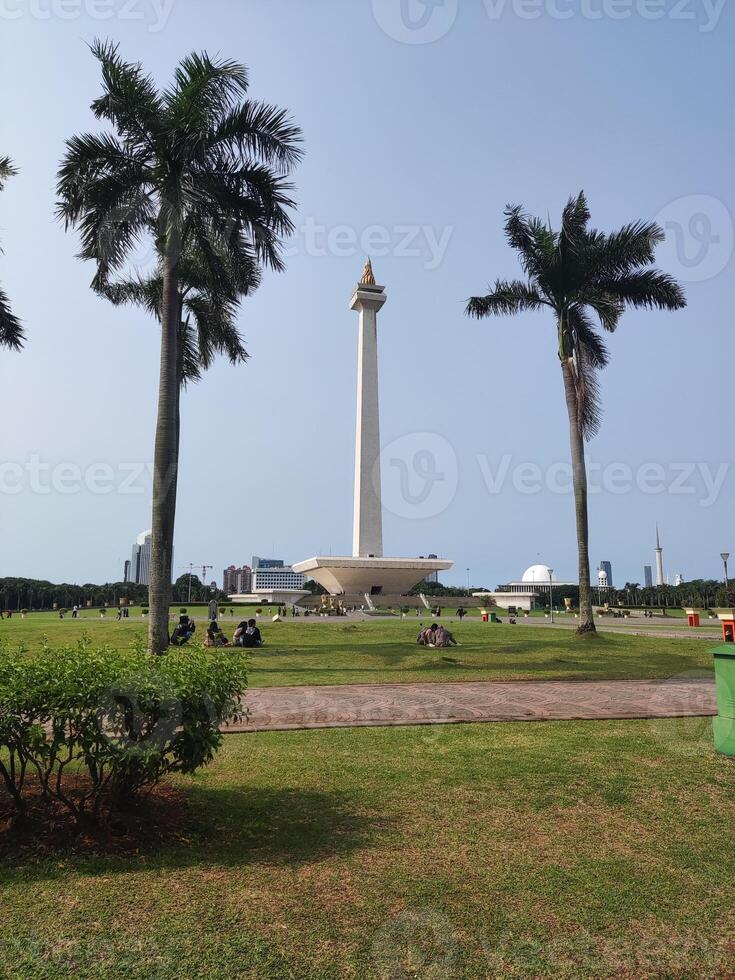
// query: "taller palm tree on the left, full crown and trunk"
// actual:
[[193, 160]]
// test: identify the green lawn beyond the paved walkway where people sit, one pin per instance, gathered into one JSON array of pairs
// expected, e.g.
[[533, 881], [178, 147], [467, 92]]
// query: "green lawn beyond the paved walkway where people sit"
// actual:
[[381, 651]]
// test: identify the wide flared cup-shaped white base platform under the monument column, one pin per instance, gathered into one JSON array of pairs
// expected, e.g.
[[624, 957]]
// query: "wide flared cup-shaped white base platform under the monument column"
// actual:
[[370, 576]]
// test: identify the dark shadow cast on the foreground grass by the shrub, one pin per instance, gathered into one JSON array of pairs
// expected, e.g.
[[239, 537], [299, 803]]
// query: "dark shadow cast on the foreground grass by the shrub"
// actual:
[[226, 827]]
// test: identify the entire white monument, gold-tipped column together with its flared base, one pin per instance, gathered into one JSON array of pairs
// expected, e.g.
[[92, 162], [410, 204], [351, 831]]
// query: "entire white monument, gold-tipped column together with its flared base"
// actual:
[[367, 573]]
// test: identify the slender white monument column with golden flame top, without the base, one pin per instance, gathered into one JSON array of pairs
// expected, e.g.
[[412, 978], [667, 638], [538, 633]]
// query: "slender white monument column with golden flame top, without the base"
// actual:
[[367, 532]]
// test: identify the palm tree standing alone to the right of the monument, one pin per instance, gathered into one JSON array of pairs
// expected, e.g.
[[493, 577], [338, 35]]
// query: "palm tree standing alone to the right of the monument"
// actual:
[[580, 274]]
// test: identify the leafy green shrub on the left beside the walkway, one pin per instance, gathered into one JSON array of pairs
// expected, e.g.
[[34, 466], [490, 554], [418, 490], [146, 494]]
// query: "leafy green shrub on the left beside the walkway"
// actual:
[[123, 719]]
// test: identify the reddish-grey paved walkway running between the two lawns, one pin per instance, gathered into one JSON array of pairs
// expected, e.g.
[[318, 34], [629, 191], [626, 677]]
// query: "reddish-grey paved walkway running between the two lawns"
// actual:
[[350, 705]]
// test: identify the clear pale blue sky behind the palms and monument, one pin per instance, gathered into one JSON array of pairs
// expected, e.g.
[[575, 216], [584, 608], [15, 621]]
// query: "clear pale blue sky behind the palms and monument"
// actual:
[[496, 103]]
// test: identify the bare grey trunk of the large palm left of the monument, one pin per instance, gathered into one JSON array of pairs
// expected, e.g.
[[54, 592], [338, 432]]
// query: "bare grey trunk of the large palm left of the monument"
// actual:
[[165, 459]]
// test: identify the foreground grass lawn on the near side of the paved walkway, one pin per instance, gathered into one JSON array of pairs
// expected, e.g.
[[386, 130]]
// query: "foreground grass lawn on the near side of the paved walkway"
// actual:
[[559, 849]]
